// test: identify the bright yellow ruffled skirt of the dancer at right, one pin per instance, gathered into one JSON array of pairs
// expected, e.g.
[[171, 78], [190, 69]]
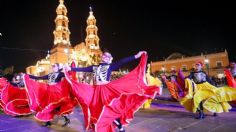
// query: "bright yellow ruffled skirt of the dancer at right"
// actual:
[[214, 99]]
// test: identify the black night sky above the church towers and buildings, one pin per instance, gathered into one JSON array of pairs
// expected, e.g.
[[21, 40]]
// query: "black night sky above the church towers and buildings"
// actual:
[[125, 27]]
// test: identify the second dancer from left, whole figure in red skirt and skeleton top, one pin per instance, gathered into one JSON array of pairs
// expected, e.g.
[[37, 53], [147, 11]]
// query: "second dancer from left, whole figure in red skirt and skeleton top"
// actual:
[[52, 98]]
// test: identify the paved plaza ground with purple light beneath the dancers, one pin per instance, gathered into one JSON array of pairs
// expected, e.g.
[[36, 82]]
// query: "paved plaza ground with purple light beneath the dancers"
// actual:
[[165, 115]]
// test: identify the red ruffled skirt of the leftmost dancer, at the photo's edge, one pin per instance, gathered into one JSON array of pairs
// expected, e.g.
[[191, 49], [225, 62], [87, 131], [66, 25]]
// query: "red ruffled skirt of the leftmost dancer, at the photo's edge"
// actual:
[[14, 101]]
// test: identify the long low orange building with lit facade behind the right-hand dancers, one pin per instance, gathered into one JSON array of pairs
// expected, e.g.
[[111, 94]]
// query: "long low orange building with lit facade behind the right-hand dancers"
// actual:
[[214, 63]]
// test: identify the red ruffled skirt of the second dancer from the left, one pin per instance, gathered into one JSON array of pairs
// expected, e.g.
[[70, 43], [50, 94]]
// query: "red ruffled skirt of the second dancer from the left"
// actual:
[[49, 100]]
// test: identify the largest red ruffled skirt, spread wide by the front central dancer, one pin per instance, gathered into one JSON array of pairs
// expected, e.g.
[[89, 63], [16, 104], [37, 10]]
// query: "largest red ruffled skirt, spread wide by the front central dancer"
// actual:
[[102, 104]]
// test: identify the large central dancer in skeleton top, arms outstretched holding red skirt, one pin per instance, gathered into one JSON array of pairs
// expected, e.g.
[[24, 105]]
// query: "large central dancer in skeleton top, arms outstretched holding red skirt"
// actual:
[[112, 102]]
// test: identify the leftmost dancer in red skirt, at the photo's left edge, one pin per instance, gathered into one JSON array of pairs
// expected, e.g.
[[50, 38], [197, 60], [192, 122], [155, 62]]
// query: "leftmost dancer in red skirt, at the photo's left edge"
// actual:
[[14, 100]]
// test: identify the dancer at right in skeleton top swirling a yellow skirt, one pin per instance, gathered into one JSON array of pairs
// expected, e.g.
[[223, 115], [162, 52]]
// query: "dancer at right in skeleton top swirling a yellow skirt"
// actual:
[[203, 96]]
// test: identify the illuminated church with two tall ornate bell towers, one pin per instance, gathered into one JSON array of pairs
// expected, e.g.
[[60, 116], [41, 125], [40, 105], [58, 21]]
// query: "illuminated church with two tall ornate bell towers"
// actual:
[[62, 52]]
